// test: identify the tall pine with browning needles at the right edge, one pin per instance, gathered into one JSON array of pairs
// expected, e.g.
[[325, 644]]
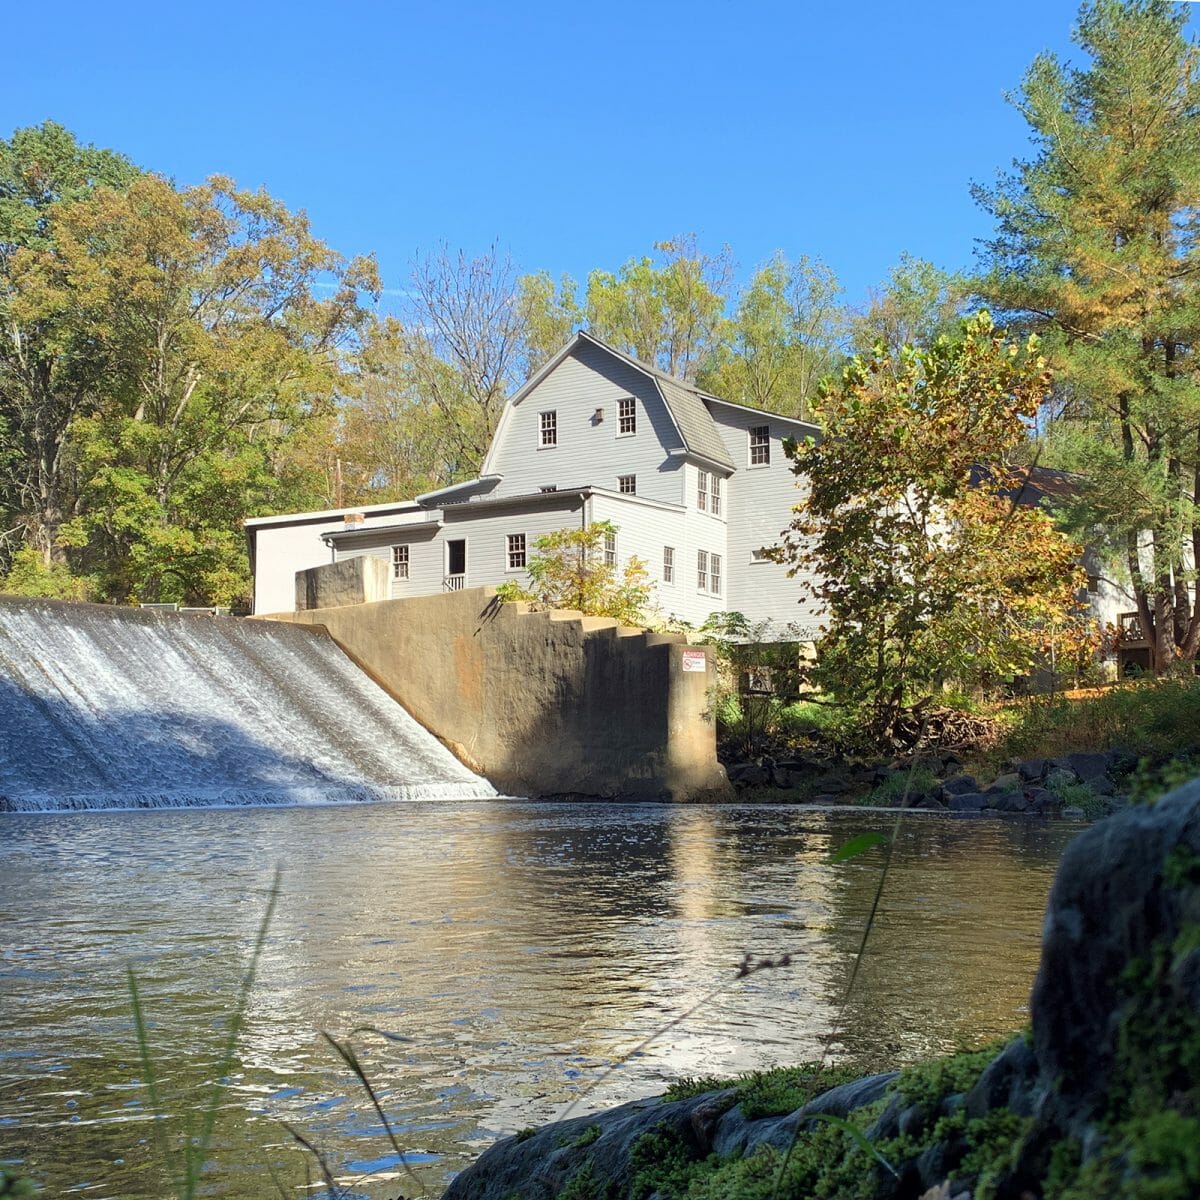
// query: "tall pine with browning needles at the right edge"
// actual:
[[1096, 247]]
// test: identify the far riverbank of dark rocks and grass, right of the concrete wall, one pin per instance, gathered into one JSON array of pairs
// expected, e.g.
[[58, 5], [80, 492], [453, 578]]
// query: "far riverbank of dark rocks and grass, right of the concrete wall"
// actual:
[[1082, 755]]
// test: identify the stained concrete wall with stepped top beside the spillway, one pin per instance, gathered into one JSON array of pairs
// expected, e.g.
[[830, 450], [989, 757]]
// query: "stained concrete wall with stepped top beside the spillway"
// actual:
[[543, 704]]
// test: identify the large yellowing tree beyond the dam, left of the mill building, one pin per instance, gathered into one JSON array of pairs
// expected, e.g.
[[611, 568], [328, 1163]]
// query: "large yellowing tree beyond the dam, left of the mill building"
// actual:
[[203, 308]]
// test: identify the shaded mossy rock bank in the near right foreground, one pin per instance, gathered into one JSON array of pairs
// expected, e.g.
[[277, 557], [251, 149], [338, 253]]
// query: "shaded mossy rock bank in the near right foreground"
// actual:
[[1101, 1099]]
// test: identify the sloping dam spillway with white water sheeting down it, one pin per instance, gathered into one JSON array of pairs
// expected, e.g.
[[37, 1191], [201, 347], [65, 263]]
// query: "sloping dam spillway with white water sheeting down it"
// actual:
[[118, 709]]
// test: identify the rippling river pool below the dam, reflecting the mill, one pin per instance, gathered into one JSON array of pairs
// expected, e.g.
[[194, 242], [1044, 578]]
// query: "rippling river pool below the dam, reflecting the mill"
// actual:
[[521, 950]]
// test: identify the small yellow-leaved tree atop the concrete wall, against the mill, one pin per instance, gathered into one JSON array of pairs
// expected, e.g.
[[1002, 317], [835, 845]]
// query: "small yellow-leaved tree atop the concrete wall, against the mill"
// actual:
[[571, 569]]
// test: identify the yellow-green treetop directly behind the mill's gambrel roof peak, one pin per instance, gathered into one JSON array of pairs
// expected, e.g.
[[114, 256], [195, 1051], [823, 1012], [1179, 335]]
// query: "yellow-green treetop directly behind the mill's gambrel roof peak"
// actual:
[[668, 314]]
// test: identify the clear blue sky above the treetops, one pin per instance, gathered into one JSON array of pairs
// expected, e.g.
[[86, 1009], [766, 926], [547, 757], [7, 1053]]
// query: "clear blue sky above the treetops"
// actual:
[[575, 136]]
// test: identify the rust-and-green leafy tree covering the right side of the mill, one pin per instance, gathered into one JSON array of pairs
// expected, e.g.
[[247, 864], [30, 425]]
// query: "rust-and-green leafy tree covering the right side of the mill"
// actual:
[[926, 566]]
